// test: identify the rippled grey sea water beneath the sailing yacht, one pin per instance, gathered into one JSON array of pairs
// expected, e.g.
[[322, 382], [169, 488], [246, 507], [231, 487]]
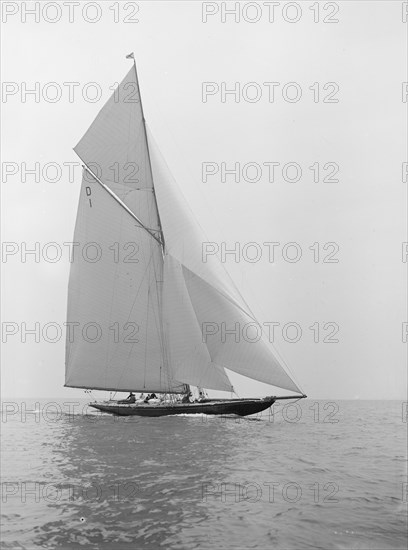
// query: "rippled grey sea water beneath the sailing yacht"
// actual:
[[320, 475]]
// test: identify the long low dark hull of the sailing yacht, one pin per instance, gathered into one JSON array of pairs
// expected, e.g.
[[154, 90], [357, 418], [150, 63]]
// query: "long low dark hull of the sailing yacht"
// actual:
[[240, 407]]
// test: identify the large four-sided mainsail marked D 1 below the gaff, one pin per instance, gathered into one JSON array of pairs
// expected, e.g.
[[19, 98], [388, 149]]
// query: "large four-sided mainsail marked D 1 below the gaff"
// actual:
[[115, 339]]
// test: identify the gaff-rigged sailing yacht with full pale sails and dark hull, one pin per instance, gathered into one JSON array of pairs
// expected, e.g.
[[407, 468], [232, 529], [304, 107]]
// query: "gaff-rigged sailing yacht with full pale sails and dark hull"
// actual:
[[141, 293]]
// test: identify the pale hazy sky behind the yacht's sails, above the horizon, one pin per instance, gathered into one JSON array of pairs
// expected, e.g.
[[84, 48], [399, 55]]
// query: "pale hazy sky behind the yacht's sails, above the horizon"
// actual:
[[363, 133]]
